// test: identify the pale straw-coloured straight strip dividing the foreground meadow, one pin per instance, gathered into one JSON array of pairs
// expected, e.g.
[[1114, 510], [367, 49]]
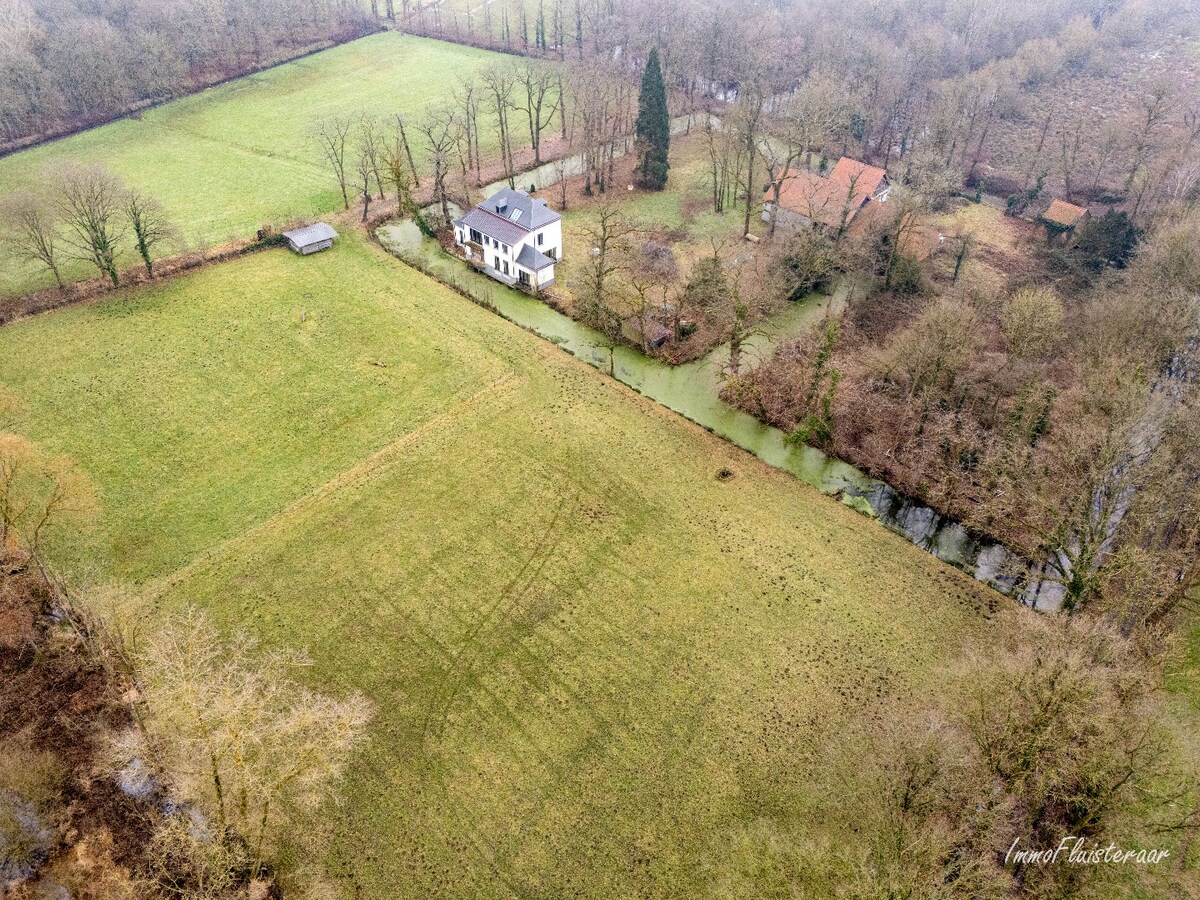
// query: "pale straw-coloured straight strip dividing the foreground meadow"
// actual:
[[359, 472]]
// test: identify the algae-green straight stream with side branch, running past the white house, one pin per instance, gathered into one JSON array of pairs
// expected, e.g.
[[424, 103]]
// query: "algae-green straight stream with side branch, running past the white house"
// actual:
[[693, 392]]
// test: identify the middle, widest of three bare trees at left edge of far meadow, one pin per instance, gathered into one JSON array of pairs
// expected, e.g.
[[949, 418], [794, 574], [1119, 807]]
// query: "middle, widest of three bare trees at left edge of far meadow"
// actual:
[[91, 206]]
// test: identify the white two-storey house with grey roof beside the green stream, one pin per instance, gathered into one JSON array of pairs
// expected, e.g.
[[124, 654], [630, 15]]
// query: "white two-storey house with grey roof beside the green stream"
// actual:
[[514, 238]]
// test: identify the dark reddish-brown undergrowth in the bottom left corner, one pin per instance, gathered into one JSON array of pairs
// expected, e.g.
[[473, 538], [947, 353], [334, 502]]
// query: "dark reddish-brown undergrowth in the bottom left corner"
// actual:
[[63, 818]]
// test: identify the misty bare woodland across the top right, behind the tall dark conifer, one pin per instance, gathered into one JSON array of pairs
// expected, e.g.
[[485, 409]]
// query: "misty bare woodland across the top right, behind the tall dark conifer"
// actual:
[[980, 87]]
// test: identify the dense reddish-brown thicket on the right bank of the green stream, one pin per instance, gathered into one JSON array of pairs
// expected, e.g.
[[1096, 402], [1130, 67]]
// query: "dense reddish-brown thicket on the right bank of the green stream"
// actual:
[[1018, 410]]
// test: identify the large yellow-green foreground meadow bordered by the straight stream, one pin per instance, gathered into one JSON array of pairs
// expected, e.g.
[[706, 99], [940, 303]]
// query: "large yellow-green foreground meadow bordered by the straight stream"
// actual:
[[599, 670]]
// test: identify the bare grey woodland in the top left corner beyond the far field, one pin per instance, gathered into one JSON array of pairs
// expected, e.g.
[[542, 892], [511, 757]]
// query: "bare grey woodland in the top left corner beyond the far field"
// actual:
[[69, 64]]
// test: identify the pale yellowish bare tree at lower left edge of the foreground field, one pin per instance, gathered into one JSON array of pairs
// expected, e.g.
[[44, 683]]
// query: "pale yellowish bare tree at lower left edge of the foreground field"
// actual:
[[243, 739]]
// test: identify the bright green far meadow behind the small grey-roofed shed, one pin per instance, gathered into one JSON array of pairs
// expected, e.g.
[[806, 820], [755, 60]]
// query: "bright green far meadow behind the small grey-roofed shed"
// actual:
[[227, 160]]
